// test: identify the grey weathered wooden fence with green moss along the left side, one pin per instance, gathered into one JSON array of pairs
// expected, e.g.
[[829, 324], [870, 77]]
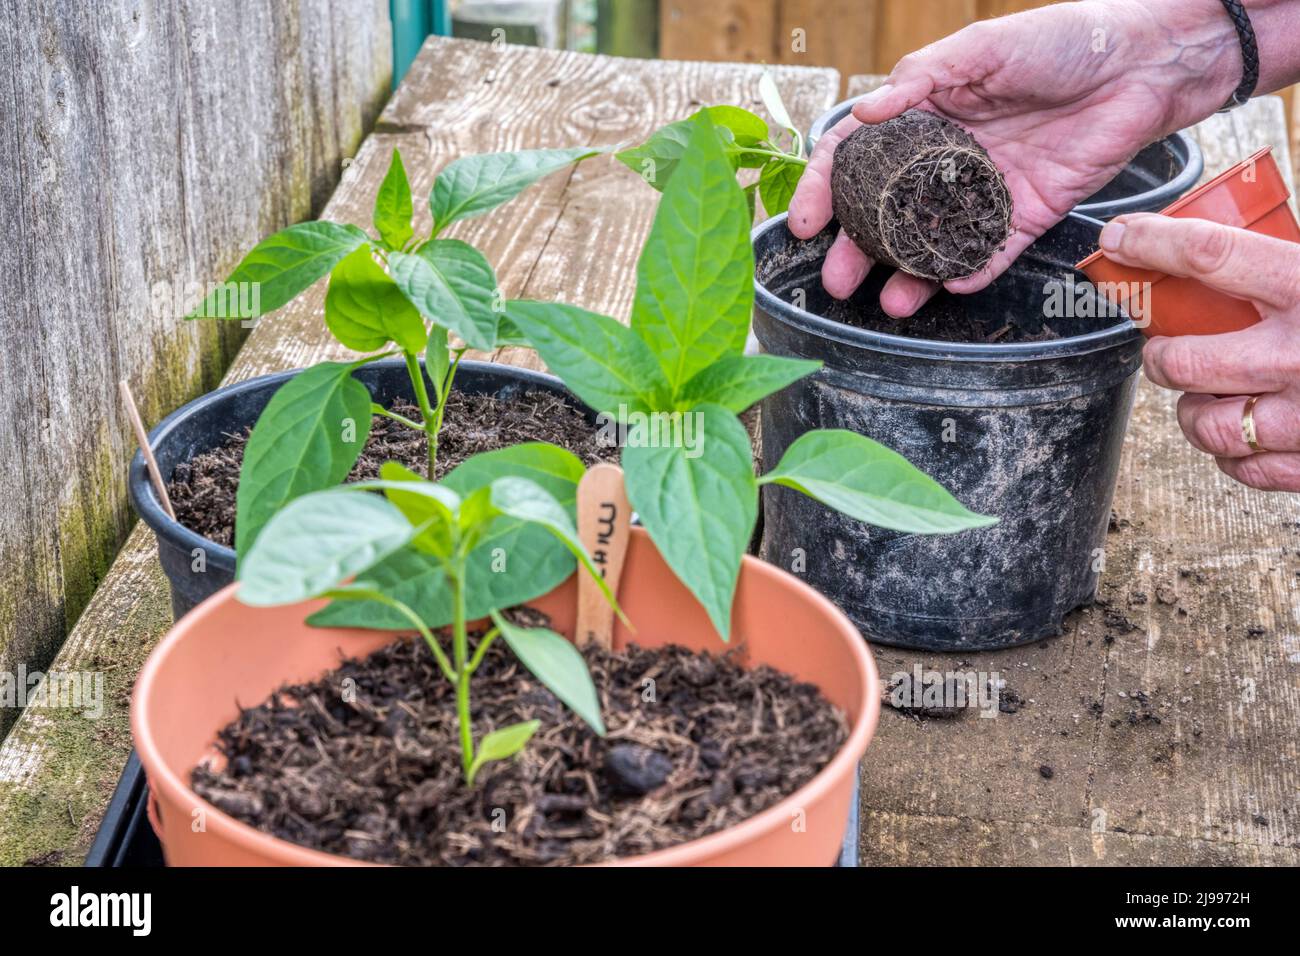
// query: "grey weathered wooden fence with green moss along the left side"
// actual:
[[136, 162]]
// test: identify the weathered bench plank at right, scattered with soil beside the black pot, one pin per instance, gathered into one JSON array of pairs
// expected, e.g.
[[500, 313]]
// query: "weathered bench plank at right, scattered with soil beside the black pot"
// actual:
[[1169, 730]]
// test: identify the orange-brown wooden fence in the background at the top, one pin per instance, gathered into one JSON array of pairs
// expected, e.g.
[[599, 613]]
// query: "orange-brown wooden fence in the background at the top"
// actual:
[[851, 36]]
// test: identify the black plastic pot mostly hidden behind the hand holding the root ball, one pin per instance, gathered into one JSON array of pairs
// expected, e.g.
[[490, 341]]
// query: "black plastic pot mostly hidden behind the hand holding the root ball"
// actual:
[[1152, 180]]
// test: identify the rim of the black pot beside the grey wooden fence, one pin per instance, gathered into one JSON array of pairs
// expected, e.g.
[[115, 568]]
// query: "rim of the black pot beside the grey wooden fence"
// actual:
[[145, 499]]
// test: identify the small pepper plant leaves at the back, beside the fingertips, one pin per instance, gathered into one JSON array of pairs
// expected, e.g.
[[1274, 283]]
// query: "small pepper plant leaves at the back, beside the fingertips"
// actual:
[[748, 144]]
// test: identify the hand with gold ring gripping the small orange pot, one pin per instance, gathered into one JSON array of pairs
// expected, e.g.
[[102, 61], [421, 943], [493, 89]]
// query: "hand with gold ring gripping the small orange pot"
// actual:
[[1219, 374]]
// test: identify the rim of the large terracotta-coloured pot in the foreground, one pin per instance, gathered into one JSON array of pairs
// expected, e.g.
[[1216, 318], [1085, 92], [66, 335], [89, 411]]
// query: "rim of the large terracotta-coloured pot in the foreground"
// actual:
[[284, 853]]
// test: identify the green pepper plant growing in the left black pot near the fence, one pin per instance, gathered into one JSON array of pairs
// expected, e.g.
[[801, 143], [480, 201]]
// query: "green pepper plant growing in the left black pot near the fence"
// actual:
[[391, 295]]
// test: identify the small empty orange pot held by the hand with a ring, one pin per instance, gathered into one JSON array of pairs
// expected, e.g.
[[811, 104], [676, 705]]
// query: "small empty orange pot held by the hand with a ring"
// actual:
[[1250, 196]]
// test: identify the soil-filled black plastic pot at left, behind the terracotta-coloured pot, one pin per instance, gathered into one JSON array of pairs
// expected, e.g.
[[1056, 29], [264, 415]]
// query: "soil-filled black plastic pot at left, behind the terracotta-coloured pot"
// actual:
[[200, 449]]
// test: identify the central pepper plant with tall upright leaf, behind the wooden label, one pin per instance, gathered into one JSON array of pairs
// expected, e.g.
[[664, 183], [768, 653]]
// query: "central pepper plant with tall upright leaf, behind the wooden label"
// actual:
[[683, 356]]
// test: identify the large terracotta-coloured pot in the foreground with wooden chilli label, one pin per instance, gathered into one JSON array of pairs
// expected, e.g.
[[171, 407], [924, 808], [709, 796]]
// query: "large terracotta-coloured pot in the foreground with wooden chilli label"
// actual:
[[223, 655]]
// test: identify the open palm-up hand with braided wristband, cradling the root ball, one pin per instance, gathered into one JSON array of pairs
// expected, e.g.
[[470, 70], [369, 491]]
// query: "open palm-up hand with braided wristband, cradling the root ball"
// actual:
[[1061, 97]]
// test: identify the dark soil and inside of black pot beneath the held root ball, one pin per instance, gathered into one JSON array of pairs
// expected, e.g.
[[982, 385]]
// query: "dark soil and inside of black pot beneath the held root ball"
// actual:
[[1011, 310]]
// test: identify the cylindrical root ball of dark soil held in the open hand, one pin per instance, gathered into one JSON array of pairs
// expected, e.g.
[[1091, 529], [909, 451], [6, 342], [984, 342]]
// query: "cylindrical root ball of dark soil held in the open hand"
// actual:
[[918, 193]]
